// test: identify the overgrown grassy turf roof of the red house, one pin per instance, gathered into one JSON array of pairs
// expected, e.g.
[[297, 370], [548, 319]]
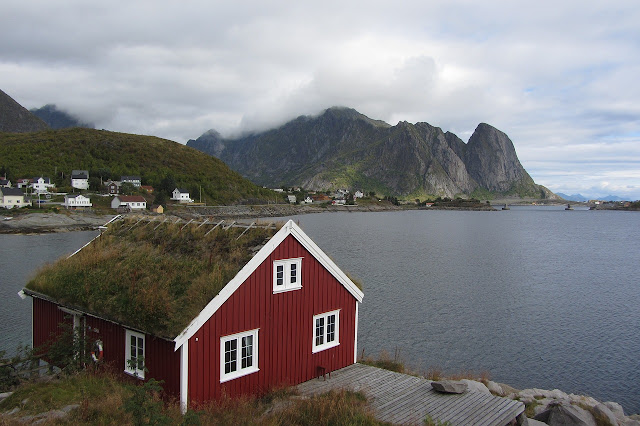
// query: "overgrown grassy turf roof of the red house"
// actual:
[[153, 280]]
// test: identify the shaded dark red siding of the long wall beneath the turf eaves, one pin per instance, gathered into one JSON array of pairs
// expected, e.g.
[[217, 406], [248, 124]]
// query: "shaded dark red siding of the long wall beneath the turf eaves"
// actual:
[[162, 362]]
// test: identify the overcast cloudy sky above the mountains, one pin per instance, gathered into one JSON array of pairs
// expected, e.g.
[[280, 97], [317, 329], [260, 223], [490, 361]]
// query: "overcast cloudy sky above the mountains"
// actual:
[[560, 78]]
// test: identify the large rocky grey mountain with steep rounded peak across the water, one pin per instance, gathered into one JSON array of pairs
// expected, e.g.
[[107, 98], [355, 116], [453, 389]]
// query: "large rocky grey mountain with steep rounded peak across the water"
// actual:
[[342, 148]]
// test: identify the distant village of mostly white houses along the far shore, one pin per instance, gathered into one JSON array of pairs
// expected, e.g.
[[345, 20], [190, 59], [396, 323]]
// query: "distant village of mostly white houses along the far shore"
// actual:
[[128, 194]]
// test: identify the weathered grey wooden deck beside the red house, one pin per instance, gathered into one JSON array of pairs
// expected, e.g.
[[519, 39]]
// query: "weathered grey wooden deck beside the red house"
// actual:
[[403, 399]]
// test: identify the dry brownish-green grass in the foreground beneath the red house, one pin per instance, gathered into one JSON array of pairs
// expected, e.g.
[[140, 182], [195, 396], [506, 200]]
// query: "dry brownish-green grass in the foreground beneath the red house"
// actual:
[[103, 399]]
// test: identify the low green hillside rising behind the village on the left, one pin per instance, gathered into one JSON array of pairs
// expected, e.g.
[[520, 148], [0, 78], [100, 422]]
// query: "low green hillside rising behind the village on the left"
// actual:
[[161, 163]]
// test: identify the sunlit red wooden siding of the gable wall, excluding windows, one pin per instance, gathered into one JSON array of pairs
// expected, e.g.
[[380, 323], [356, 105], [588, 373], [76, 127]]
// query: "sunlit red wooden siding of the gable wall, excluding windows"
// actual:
[[285, 322]]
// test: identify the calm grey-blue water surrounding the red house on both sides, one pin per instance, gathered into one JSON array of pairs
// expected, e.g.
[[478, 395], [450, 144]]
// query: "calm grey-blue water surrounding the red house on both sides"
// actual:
[[539, 297]]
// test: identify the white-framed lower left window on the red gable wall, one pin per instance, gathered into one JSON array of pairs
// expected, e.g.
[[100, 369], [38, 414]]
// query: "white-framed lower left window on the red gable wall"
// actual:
[[238, 355]]
